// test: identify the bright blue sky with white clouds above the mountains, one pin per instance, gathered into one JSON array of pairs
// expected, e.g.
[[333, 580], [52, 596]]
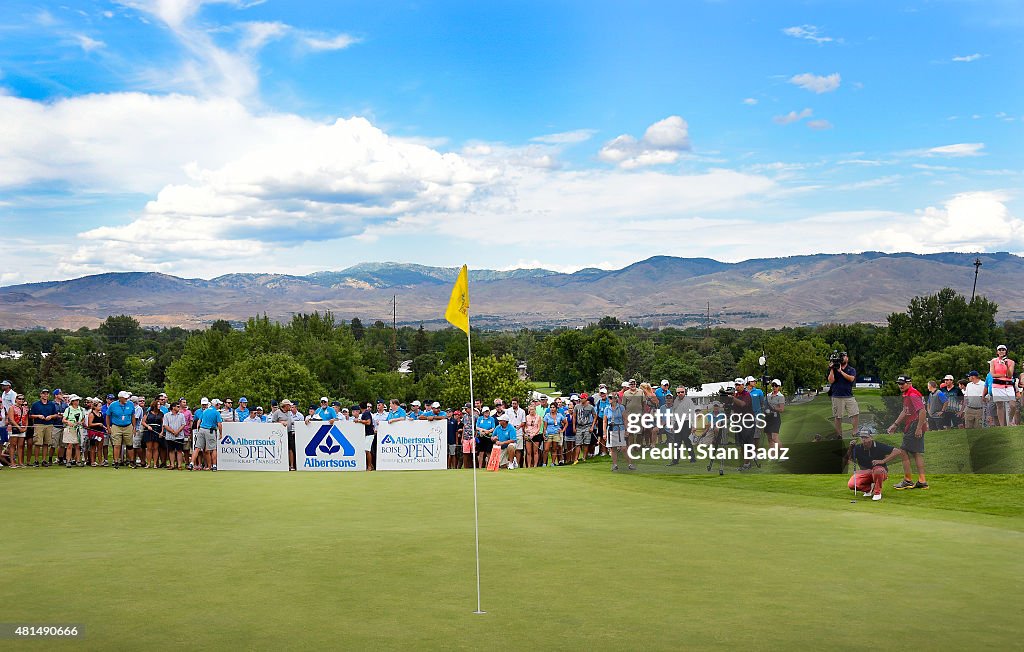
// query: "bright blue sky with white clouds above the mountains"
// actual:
[[201, 139]]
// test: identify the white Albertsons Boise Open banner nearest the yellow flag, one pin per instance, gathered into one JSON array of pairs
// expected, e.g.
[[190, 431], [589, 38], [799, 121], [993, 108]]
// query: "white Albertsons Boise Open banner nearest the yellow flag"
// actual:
[[412, 445]]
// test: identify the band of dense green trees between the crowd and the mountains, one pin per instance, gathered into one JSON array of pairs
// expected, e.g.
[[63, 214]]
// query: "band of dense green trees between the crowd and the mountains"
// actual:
[[320, 355]]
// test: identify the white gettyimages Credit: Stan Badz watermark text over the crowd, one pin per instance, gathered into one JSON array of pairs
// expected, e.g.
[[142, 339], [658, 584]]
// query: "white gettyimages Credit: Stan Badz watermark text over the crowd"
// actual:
[[709, 436]]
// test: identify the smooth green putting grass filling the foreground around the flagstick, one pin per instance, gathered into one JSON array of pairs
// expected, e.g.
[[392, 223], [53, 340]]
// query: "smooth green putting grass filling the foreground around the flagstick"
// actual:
[[575, 558]]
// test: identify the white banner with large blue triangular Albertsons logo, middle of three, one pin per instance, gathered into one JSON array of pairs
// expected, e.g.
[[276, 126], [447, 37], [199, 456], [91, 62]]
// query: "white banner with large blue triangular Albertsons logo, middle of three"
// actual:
[[324, 447]]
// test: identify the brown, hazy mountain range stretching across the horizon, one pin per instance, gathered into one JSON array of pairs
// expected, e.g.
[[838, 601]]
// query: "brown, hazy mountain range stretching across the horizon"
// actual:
[[658, 292]]
